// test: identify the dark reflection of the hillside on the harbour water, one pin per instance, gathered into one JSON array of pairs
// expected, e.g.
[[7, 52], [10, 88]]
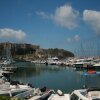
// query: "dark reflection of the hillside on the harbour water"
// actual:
[[34, 70]]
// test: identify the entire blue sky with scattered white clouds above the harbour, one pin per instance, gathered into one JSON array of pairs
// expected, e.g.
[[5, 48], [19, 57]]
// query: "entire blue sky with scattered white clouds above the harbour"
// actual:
[[73, 25]]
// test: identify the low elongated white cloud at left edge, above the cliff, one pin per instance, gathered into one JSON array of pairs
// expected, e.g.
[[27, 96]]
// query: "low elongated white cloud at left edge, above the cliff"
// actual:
[[11, 33]]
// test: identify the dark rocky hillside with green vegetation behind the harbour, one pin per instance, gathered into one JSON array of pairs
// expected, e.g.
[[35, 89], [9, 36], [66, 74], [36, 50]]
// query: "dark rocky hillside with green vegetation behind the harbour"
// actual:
[[29, 51]]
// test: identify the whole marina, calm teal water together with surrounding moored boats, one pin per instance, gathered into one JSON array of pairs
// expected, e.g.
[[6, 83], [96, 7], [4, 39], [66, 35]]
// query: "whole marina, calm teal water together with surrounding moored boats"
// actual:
[[51, 79]]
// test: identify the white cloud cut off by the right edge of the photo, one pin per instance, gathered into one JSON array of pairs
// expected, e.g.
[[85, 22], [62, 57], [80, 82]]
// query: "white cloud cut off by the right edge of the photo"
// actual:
[[92, 18]]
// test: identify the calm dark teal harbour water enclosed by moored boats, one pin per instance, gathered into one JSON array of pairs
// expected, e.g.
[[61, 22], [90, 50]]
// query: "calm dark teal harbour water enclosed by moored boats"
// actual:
[[55, 77]]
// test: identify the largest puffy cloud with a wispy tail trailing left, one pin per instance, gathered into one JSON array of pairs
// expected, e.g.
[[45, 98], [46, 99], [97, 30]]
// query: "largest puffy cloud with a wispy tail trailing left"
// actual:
[[64, 16]]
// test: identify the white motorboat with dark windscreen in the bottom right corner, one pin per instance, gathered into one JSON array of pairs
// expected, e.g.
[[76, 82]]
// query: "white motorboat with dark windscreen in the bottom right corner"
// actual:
[[86, 94]]
